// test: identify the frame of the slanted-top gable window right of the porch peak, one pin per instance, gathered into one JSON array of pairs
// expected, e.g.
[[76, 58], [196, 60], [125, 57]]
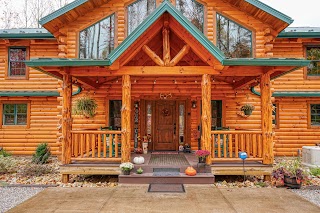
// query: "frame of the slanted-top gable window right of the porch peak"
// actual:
[[252, 48]]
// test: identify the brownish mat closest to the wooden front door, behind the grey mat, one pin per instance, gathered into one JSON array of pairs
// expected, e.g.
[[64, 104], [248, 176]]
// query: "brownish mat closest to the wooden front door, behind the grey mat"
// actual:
[[166, 160]]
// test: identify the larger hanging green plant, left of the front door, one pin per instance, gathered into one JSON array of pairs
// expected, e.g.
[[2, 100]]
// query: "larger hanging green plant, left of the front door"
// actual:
[[85, 106]]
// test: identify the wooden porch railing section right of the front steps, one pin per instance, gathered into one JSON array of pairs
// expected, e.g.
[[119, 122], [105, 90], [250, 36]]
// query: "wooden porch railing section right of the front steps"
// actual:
[[226, 145]]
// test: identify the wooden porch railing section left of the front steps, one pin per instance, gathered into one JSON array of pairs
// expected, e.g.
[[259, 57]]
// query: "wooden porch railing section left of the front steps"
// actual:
[[96, 145]]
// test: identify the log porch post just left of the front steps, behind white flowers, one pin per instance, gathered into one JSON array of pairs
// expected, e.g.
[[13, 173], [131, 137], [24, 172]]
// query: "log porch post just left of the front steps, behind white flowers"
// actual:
[[126, 118]]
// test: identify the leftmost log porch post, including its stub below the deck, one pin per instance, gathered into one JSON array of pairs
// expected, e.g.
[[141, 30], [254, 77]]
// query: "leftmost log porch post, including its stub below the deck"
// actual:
[[66, 122]]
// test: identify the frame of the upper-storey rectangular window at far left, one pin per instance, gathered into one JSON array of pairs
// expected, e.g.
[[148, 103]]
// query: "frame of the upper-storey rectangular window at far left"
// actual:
[[7, 68]]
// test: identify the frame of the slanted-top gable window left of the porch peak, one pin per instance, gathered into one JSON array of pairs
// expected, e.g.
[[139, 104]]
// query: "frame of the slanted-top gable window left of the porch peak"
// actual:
[[115, 39]]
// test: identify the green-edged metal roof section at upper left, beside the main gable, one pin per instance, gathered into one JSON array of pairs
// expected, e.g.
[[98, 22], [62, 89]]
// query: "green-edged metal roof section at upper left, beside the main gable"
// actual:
[[26, 33]]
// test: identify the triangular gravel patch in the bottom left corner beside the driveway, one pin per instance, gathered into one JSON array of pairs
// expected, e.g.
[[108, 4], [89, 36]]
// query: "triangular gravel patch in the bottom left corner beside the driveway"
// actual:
[[13, 196]]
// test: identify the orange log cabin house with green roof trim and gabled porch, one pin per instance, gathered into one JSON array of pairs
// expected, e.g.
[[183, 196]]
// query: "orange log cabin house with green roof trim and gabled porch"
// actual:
[[177, 70]]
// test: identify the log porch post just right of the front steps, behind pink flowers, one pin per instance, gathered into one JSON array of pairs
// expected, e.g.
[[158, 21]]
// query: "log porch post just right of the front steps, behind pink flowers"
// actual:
[[206, 115]]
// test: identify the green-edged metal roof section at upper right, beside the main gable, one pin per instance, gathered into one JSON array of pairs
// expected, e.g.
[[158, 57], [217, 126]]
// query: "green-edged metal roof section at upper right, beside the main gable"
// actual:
[[300, 32]]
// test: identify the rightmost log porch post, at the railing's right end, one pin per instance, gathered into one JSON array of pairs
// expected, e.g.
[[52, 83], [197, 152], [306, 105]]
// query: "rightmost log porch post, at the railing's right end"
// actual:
[[266, 119]]
